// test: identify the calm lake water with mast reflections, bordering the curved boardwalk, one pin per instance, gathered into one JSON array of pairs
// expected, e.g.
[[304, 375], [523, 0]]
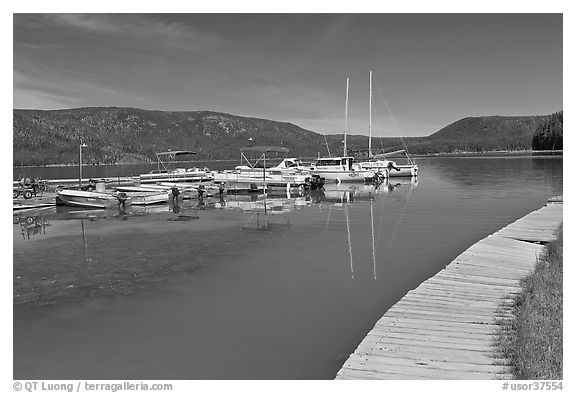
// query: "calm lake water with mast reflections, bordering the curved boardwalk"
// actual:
[[224, 291]]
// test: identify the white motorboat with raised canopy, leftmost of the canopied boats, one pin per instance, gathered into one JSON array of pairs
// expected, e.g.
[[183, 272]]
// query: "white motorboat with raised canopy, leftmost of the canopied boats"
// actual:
[[167, 172]]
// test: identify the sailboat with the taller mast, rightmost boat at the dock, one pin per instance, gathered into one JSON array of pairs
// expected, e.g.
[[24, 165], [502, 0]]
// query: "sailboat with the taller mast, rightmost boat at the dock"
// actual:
[[379, 162]]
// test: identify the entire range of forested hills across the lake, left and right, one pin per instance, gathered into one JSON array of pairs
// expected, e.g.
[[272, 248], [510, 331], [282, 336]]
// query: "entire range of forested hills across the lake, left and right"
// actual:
[[125, 135]]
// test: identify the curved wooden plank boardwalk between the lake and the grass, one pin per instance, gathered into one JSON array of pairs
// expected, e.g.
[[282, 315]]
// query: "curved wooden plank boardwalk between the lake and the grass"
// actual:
[[445, 328]]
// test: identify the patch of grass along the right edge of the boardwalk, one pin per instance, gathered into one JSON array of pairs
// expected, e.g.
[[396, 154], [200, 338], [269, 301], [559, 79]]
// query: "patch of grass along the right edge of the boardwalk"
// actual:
[[532, 338]]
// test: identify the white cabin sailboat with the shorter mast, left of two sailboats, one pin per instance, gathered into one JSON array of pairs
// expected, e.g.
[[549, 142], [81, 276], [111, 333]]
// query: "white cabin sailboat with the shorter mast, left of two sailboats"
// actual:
[[342, 169]]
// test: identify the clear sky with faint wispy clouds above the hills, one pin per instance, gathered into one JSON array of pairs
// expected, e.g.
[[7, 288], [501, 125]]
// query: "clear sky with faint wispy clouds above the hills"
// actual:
[[429, 70]]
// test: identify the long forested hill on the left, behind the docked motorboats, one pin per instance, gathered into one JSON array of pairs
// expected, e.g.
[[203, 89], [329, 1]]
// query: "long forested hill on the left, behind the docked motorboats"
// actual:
[[116, 135]]
